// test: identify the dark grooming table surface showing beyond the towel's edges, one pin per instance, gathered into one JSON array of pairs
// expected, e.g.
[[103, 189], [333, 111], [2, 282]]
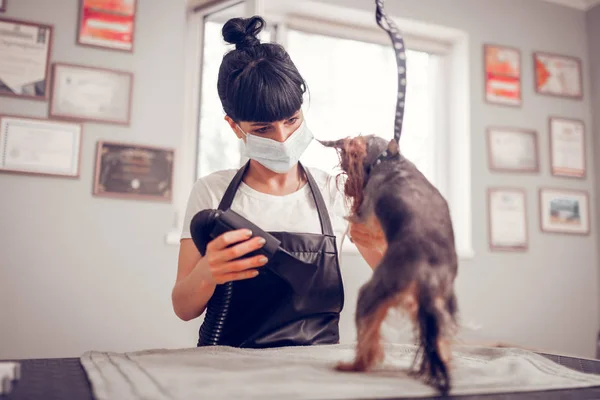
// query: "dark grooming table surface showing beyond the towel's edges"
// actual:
[[65, 378]]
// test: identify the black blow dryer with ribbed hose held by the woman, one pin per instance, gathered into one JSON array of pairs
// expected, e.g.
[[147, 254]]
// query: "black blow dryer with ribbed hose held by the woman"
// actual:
[[207, 225]]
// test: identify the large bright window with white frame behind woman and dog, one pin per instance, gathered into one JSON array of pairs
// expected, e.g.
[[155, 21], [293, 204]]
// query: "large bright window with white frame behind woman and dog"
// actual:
[[350, 70]]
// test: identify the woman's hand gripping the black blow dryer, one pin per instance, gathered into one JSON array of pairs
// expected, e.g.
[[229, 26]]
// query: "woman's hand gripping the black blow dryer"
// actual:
[[221, 263]]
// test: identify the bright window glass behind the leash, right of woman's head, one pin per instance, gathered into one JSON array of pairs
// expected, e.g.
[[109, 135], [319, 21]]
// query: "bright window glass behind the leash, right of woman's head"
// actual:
[[353, 90]]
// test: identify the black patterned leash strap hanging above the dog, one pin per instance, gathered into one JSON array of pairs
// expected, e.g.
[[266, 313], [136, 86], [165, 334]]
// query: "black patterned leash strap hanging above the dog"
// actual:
[[390, 27]]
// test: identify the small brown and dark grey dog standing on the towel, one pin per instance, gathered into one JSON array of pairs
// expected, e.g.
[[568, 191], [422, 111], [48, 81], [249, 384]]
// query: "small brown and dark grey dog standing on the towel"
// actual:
[[419, 265]]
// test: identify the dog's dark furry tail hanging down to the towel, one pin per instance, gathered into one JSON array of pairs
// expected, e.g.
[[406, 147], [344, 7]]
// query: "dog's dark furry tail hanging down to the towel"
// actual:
[[436, 320]]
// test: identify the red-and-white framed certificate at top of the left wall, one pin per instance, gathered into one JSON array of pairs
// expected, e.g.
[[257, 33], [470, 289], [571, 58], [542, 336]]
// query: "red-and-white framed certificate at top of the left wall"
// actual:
[[107, 24]]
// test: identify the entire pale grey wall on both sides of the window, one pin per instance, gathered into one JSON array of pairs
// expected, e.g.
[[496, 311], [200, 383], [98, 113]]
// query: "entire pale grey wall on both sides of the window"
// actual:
[[80, 273]]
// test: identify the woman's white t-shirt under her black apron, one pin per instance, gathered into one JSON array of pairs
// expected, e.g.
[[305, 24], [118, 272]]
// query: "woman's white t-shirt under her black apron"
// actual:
[[295, 212]]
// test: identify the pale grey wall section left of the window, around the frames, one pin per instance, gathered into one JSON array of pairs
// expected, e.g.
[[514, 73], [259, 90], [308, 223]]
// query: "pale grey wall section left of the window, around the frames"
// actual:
[[77, 271]]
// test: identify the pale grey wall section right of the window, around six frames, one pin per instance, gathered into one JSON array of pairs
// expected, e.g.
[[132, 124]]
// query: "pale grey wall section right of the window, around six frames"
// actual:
[[546, 298]]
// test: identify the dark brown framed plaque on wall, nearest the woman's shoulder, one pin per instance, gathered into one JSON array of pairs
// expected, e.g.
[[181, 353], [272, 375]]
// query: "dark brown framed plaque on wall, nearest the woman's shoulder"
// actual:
[[132, 171]]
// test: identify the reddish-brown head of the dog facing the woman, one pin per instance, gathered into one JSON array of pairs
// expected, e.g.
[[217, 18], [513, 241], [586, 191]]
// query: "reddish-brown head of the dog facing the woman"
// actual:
[[357, 155]]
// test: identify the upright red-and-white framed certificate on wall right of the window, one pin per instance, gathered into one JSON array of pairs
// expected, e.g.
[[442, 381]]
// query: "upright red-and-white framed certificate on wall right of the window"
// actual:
[[502, 75]]
